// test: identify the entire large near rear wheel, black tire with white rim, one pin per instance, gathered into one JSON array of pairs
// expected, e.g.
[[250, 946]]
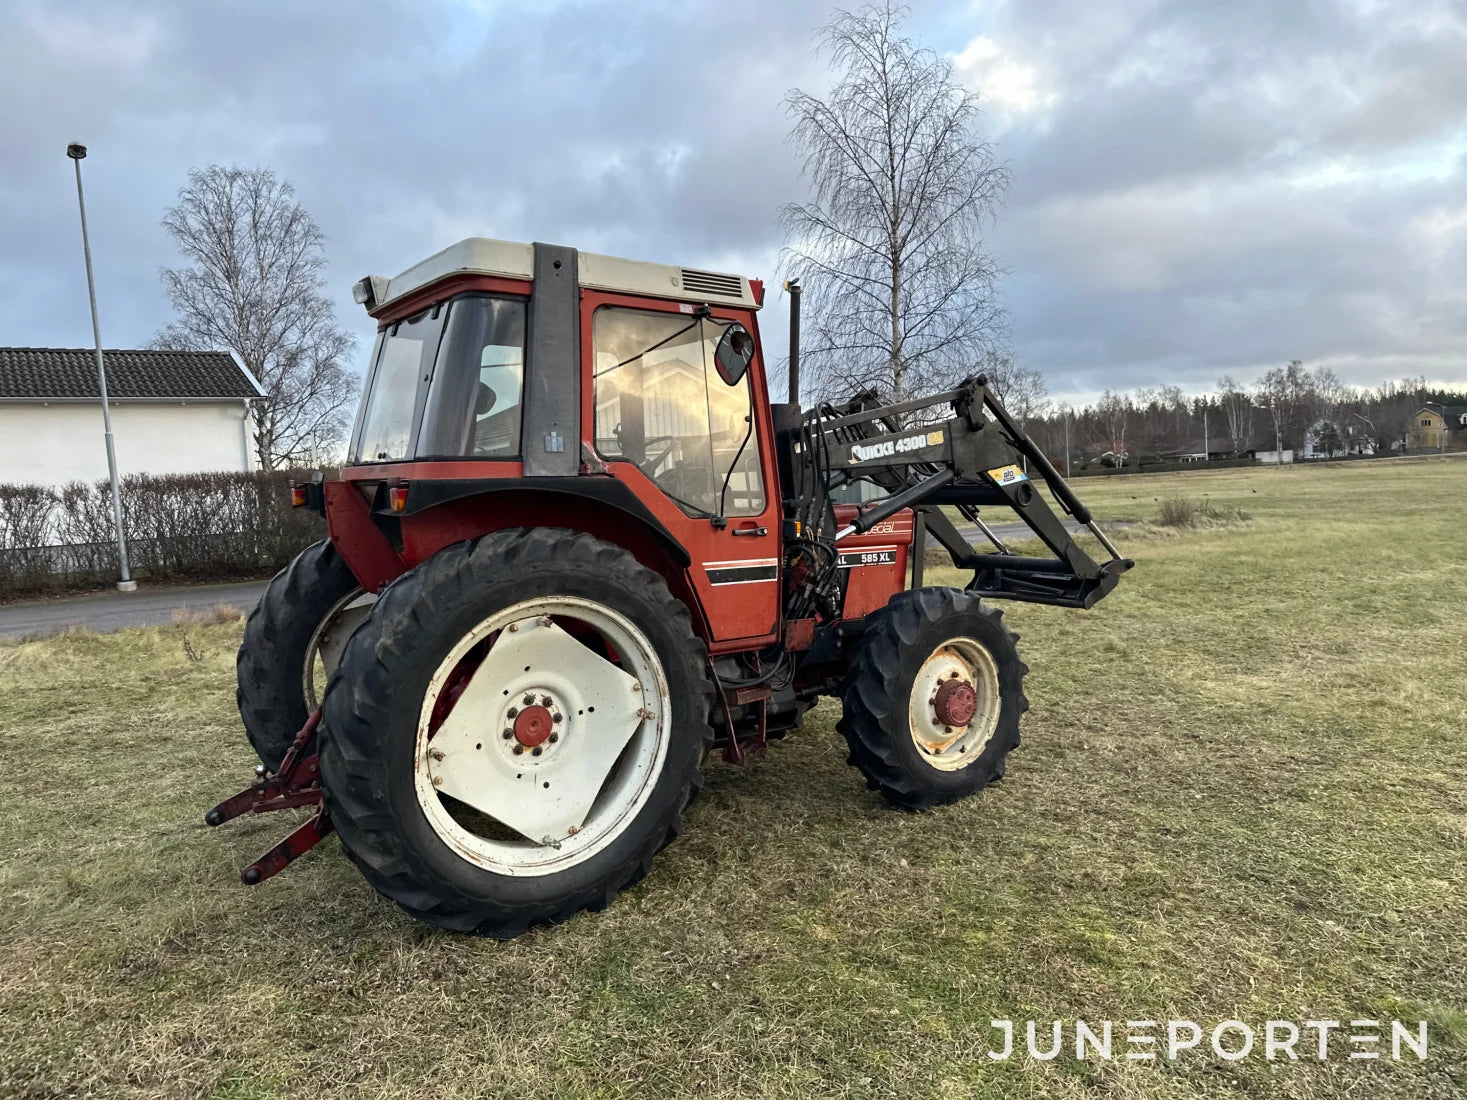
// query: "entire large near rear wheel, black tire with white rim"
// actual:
[[384, 737]]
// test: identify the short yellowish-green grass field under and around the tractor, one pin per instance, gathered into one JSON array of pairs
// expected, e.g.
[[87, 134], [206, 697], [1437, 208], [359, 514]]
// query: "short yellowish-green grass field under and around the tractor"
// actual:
[[1242, 794]]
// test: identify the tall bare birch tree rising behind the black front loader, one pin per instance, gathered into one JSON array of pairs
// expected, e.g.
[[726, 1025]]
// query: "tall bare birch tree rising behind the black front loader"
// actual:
[[899, 284]]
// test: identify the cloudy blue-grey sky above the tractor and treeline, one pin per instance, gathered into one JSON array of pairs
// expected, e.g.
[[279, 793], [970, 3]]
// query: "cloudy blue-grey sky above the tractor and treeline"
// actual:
[[1198, 187]]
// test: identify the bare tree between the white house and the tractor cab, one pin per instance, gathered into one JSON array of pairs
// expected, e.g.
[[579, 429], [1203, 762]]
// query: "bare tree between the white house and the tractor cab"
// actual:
[[255, 288]]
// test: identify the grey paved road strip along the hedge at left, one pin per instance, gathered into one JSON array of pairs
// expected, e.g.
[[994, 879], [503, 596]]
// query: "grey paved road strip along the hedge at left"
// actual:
[[115, 611]]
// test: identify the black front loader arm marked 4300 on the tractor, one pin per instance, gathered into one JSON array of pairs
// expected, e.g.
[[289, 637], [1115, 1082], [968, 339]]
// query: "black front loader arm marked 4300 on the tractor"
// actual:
[[970, 461]]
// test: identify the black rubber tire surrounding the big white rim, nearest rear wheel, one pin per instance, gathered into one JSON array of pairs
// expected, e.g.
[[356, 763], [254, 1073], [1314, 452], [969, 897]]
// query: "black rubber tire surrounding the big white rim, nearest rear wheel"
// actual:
[[375, 706]]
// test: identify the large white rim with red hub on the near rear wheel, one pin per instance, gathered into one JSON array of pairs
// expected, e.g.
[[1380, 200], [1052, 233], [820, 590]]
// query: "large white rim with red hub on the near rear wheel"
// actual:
[[593, 774]]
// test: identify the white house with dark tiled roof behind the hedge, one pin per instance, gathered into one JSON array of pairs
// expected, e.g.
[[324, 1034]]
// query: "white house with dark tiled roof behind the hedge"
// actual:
[[172, 413]]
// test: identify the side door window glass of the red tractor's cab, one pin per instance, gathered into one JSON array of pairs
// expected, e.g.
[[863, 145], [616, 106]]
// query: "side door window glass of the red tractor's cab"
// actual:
[[661, 404]]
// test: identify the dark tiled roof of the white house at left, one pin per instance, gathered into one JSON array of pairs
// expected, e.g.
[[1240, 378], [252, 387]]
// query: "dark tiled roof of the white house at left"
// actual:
[[71, 375]]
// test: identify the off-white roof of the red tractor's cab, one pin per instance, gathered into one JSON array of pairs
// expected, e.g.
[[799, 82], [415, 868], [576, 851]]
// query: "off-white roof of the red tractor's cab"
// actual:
[[510, 260]]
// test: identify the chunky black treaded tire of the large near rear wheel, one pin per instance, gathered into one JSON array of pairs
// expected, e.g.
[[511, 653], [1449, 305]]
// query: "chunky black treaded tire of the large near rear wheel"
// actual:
[[359, 711]]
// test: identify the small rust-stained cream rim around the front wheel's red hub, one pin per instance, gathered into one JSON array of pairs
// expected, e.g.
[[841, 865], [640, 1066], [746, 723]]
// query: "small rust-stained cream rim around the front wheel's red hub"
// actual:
[[944, 746]]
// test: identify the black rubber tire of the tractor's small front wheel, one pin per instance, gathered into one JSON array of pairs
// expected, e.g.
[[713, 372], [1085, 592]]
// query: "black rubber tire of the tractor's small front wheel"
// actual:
[[887, 661]]
